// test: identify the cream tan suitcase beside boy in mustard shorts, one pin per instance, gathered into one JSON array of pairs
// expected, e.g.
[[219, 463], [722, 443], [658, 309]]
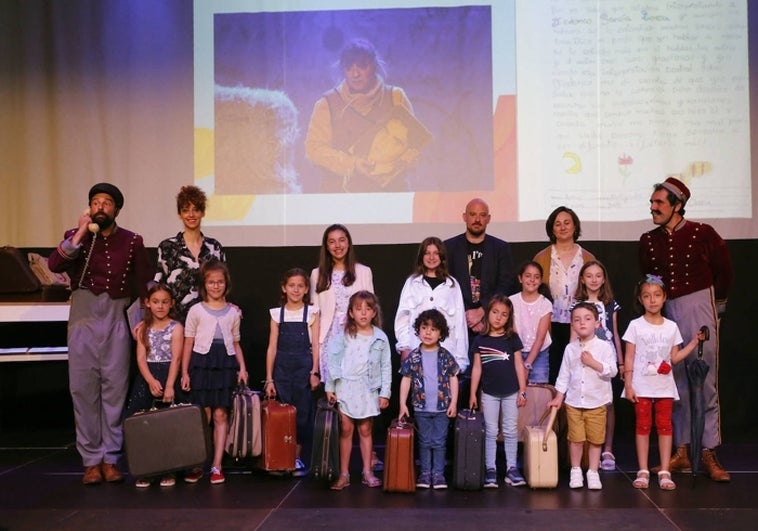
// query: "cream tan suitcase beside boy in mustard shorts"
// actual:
[[541, 452]]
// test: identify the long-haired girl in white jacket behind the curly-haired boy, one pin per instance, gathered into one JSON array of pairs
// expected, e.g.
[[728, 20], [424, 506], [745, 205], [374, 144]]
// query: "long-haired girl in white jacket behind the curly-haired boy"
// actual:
[[431, 286]]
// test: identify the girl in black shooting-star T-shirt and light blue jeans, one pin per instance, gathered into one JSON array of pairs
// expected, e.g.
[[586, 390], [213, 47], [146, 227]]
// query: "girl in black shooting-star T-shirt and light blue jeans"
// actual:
[[498, 366]]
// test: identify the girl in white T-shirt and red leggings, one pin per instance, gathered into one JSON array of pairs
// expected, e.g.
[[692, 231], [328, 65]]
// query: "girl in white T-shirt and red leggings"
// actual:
[[652, 347]]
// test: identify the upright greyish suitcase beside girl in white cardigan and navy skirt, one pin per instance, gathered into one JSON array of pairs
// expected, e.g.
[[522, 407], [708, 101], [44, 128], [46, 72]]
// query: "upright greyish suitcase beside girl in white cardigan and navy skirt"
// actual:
[[243, 438]]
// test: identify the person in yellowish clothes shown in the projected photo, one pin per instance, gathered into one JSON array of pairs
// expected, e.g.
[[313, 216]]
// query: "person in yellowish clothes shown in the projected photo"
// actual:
[[362, 133]]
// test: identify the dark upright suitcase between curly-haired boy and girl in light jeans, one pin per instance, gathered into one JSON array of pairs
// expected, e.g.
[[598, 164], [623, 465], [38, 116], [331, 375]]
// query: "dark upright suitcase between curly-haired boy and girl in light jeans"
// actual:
[[468, 461]]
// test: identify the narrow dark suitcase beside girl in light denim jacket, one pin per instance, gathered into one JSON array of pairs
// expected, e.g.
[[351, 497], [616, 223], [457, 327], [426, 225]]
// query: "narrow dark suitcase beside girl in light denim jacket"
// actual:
[[325, 457]]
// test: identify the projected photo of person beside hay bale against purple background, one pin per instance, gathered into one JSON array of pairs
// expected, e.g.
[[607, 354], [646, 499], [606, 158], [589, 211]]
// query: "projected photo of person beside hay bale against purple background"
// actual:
[[309, 102]]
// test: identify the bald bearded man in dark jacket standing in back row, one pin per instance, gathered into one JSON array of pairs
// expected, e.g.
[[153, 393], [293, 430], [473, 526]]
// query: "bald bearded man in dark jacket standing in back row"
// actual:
[[482, 265]]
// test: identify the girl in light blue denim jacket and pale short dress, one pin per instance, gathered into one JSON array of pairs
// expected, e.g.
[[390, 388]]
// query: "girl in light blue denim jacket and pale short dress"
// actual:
[[359, 377]]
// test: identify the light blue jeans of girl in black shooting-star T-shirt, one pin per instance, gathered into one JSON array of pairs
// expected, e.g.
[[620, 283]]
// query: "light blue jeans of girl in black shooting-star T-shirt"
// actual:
[[491, 406]]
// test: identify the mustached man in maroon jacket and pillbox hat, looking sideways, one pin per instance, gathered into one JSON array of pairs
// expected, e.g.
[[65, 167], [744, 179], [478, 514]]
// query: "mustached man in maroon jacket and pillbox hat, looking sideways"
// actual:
[[695, 265]]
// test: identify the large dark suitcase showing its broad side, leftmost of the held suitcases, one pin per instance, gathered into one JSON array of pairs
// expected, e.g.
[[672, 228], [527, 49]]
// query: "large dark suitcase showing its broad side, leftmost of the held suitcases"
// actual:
[[166, 440]]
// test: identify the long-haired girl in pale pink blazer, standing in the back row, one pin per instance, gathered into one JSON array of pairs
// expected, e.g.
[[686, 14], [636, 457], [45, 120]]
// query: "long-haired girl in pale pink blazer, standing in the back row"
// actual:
[[335, 279]]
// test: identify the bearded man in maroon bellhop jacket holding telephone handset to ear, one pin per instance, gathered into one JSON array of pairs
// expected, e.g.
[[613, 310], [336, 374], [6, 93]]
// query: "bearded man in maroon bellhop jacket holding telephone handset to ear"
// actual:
[[107, 266]]
